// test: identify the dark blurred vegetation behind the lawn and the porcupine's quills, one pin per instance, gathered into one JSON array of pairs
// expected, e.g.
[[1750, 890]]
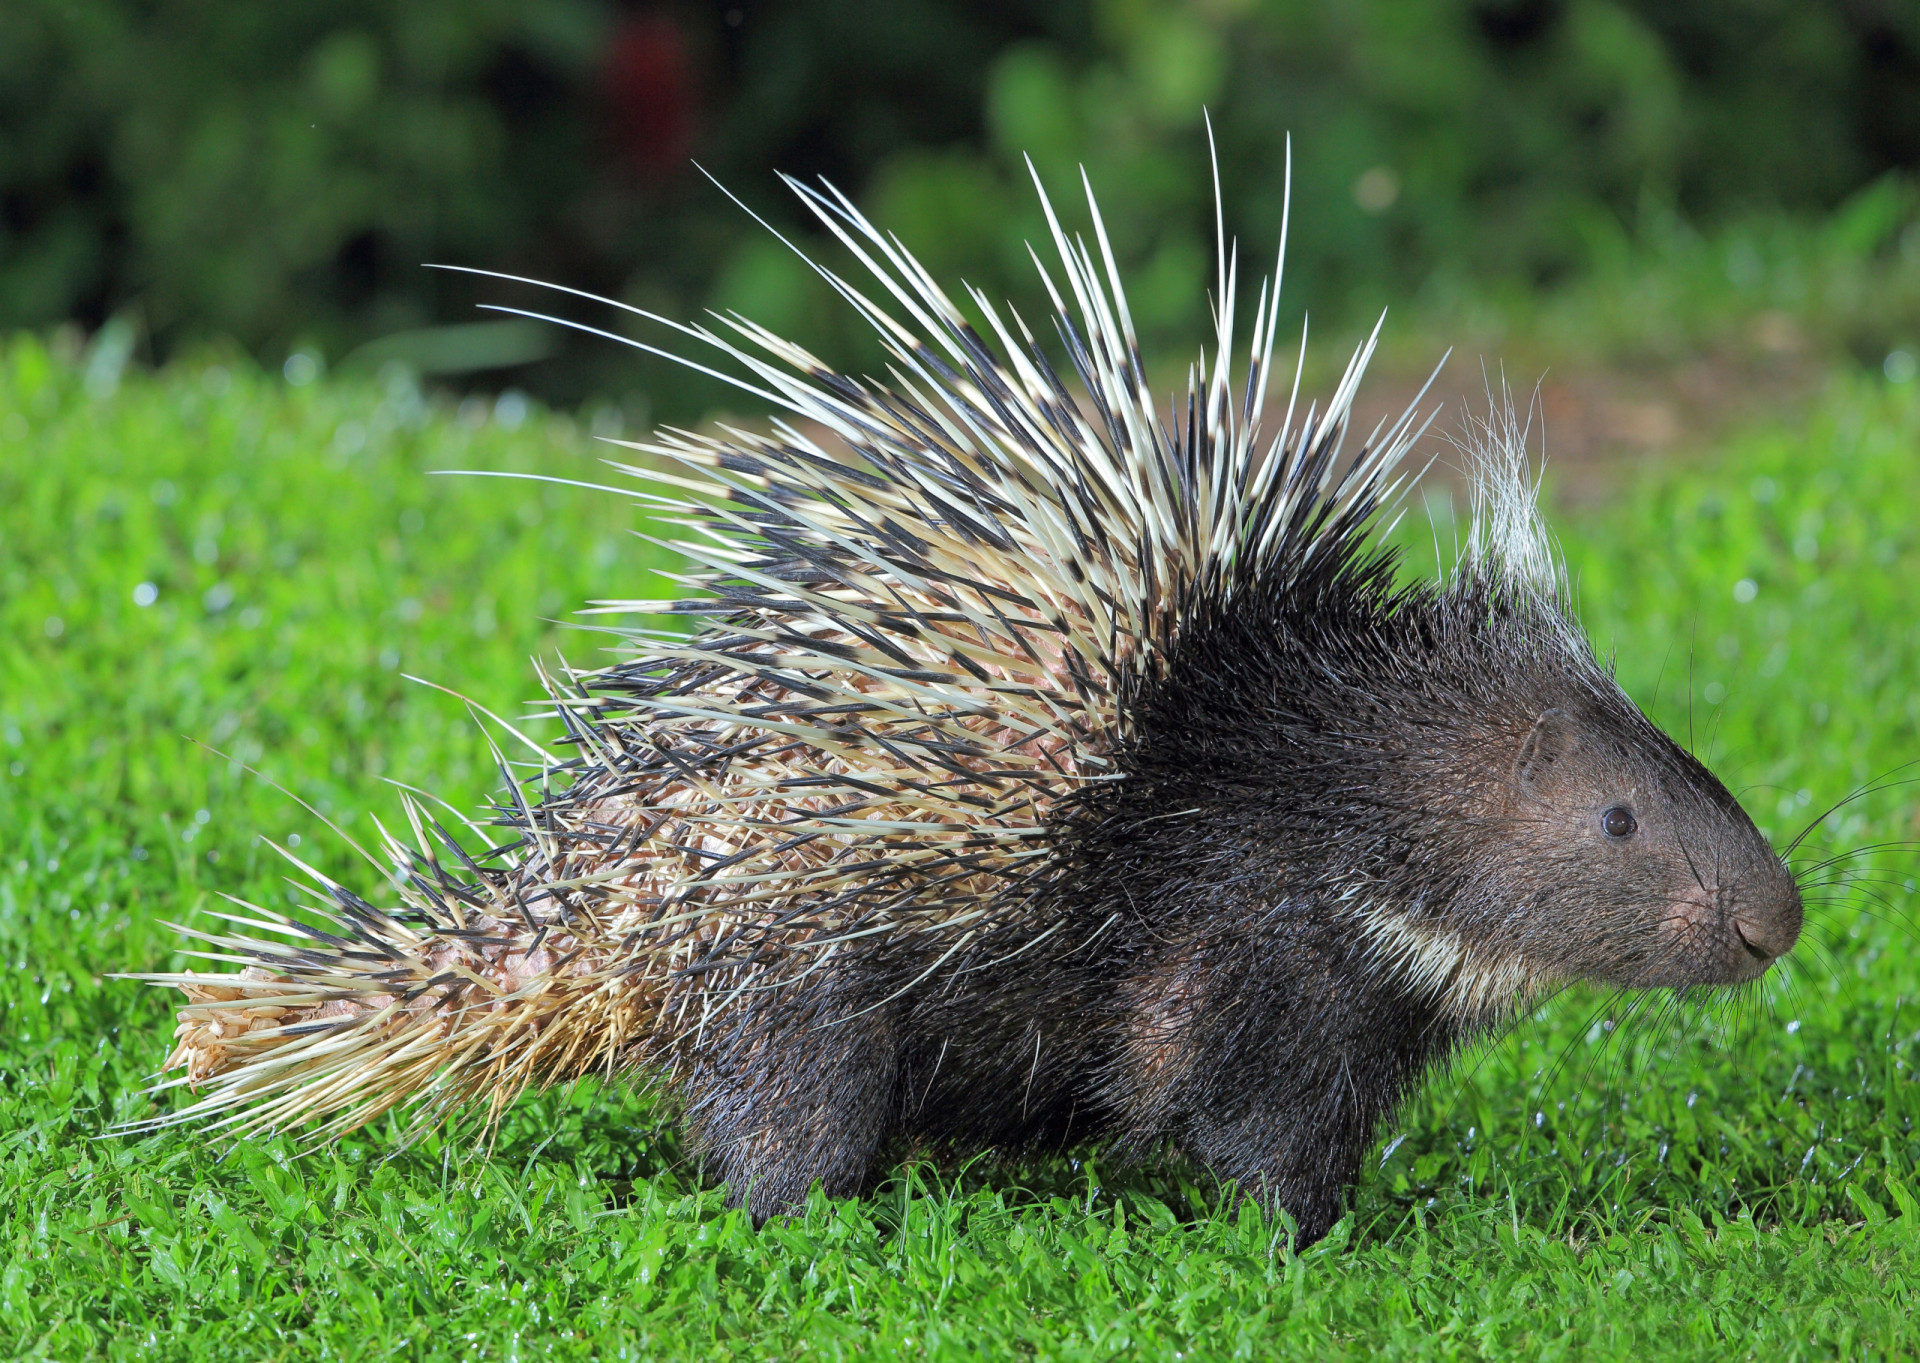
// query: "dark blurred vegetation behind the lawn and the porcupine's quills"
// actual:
[[277, 176]]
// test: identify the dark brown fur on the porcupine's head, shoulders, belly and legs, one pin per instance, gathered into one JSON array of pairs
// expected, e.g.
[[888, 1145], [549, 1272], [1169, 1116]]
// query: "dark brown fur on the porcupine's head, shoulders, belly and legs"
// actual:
[[1211, 988]]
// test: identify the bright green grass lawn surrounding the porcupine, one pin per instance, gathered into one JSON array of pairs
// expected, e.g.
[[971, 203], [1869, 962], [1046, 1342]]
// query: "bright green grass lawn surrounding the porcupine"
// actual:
[[1618, 1180]]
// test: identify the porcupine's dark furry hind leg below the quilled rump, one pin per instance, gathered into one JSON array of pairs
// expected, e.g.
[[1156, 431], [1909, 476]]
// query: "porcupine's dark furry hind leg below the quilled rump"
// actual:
[[794, 1099]]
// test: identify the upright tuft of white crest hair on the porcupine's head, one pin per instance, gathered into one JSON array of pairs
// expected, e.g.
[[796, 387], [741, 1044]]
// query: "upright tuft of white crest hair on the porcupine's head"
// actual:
[[1508, 540]]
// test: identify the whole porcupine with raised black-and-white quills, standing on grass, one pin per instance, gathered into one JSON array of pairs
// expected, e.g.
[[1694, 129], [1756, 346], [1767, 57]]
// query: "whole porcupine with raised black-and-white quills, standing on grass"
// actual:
[[1045, 771]]
